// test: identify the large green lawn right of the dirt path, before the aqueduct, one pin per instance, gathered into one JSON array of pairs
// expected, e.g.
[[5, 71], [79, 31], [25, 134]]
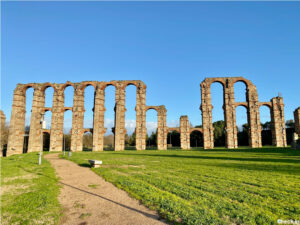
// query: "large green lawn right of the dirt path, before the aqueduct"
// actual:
[[244, 186]]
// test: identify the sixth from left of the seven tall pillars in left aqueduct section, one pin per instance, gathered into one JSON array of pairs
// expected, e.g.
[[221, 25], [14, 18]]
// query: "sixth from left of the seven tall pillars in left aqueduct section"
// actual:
[[119, 131]]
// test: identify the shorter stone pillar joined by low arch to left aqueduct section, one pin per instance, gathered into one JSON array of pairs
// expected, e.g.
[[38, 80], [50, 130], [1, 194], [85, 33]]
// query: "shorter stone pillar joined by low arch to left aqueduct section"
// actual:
[[162, 129]]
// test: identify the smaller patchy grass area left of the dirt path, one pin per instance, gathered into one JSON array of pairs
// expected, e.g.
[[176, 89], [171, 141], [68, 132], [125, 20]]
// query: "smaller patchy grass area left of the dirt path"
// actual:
[[28, 191]]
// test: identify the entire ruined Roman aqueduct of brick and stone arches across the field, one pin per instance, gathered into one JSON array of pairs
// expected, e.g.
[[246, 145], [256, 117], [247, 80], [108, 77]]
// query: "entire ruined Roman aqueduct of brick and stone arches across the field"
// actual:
[[17, 121]]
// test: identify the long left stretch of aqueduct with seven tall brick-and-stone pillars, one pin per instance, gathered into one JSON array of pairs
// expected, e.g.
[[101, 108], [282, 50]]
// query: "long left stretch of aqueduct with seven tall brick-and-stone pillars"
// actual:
[[17, 124]]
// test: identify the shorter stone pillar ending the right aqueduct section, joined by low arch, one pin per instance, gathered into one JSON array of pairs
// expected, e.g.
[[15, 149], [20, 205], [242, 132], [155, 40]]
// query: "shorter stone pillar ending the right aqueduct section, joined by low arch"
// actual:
[[278, 122]]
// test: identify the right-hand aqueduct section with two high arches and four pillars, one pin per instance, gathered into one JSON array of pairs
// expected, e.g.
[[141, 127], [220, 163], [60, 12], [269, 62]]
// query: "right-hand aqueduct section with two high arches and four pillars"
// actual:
[[252, 105]]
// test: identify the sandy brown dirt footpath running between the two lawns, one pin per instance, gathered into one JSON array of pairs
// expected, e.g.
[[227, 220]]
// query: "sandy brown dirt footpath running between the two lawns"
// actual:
[[88, 199]]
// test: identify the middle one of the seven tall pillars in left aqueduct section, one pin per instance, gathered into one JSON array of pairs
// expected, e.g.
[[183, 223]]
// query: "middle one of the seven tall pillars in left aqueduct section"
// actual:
[[77, 118]]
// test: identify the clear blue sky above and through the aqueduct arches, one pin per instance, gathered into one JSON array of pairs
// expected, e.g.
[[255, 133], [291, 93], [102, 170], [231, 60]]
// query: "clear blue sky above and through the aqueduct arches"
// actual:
[[171, 46]]
